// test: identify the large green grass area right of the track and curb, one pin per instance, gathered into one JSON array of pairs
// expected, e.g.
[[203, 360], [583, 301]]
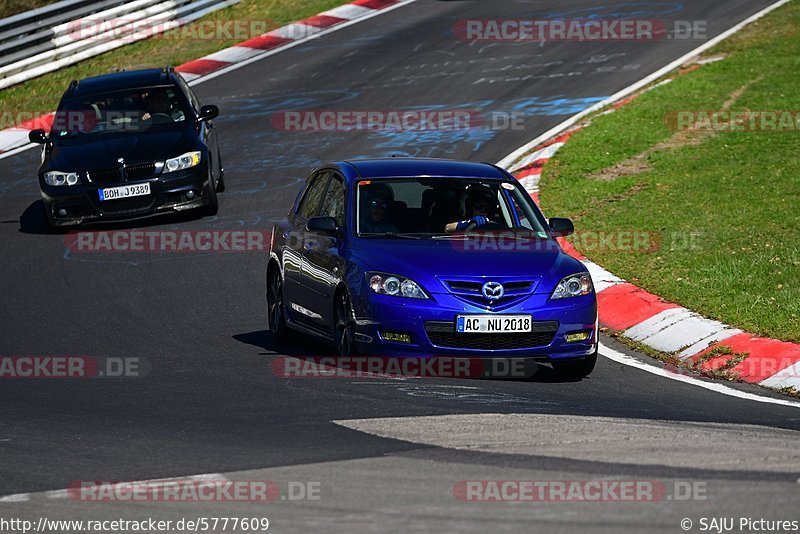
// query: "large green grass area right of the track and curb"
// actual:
[[733, 197]]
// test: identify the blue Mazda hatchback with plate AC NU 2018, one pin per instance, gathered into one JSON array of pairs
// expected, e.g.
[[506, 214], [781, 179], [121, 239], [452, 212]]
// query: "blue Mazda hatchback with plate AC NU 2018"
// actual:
[[422, 257]]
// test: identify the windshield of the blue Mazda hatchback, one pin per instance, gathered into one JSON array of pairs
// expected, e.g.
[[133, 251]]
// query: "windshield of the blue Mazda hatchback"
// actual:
[[437, 207]]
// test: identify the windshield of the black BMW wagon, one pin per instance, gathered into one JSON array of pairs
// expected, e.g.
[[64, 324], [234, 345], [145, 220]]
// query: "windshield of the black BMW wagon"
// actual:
[[132, 111]]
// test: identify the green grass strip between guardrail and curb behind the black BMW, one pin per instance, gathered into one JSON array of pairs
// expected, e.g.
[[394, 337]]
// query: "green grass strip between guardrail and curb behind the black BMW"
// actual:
[[41, 95]]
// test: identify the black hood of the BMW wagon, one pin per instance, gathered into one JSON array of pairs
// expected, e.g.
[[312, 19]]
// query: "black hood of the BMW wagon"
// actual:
[[93, 152]]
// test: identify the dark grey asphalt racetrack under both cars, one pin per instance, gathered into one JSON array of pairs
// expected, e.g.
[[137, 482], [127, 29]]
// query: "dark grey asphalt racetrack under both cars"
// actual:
[[387, 453]]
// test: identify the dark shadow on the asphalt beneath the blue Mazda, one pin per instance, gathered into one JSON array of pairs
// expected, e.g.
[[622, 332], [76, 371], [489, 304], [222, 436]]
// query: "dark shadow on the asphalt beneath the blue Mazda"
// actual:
[[306, 348]]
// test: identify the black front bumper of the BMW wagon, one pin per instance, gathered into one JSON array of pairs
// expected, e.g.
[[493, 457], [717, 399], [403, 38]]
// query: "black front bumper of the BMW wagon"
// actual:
[[168, 193]]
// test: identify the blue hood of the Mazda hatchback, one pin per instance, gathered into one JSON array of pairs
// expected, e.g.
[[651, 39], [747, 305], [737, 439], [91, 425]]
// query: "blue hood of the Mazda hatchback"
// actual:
[[429, 261]]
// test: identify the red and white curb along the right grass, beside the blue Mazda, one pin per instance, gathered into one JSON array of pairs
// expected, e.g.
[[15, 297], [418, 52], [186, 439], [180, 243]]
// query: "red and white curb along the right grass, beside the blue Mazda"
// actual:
[[666, 326]]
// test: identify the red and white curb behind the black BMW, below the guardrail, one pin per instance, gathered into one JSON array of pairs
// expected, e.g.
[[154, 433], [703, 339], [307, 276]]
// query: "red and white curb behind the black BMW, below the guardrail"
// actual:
[[15, 139]]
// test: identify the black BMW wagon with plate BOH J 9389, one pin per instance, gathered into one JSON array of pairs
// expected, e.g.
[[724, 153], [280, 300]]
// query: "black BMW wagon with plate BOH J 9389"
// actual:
[[128, 145]]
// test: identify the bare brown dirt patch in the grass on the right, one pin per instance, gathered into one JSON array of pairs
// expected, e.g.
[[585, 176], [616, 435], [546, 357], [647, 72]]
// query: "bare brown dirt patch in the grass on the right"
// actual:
[[694, 135]]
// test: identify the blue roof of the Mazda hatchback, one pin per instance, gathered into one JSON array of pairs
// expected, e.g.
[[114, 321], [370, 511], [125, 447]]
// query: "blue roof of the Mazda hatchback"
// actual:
[[408, 167]]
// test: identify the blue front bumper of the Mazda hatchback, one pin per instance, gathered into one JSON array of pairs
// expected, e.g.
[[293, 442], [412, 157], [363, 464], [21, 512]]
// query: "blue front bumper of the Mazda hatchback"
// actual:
[[431, 325]]
